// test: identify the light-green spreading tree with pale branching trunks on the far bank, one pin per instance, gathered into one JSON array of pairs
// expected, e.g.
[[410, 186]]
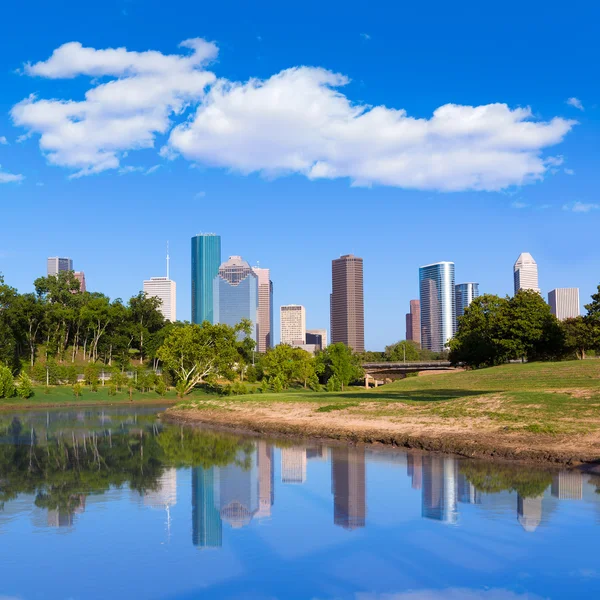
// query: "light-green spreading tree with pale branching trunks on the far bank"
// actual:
[[200, 353]]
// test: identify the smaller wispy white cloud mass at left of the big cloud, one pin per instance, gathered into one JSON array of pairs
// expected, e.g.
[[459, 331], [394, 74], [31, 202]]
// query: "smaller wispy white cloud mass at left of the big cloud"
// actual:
[[144, 91]]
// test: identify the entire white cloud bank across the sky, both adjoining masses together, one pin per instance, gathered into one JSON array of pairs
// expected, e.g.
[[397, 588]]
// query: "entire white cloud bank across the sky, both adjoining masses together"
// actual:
[[297, 121]]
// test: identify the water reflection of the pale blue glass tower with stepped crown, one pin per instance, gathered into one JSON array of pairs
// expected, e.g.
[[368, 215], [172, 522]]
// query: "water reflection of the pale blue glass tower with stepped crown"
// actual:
[[238, 491]]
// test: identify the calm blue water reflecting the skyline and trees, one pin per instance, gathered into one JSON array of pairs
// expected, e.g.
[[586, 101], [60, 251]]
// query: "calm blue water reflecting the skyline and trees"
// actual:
[[110, 504]]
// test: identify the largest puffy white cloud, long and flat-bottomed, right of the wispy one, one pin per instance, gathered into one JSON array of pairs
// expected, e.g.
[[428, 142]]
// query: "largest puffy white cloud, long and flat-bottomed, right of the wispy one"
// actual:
[[298, 122]]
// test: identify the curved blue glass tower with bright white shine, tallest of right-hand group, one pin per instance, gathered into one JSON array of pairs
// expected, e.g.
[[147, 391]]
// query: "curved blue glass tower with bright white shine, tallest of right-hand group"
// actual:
[[438, 314]]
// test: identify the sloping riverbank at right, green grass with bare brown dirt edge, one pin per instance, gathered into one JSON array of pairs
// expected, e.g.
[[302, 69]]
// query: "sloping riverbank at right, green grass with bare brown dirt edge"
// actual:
[[541, 412]]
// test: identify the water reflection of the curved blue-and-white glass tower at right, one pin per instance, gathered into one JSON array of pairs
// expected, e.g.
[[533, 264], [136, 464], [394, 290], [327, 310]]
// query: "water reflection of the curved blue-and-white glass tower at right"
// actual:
[[439, 489]]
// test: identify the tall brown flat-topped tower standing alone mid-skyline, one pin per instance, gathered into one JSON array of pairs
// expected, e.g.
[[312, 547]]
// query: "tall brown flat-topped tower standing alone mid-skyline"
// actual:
[[347, 302]]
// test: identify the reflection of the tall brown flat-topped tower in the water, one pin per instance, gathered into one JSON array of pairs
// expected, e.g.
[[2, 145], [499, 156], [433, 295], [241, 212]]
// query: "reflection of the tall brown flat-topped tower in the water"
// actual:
[[348, 486]]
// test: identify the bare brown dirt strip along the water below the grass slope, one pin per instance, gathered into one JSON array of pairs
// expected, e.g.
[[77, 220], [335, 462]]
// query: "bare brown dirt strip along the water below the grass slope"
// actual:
[[462, 439]]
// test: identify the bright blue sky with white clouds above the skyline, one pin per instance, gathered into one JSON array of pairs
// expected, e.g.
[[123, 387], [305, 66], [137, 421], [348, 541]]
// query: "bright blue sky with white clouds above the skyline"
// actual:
[[281, 132]]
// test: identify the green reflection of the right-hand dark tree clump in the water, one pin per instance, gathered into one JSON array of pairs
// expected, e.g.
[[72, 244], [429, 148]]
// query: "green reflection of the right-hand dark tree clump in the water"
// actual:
[[492, 478]]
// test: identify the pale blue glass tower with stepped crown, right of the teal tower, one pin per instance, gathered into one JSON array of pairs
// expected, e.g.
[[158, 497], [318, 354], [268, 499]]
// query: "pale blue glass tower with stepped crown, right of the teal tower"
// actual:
[[235, 294]]
